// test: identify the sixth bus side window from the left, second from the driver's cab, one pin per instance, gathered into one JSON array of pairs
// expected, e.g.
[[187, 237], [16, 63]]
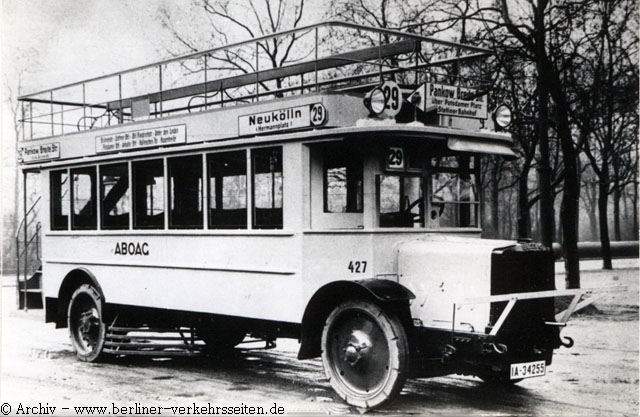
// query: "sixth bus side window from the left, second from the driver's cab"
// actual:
[[227, 190]]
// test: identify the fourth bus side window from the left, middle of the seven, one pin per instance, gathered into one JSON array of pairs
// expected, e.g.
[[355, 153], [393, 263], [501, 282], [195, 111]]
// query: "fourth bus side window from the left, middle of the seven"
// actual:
[[148, 194]]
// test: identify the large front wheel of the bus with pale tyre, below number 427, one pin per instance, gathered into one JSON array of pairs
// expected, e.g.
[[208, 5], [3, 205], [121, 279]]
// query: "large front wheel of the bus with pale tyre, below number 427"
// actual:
[[365, 353]]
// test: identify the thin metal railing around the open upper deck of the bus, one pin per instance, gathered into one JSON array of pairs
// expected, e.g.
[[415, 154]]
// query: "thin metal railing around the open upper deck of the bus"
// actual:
[[325, 56]]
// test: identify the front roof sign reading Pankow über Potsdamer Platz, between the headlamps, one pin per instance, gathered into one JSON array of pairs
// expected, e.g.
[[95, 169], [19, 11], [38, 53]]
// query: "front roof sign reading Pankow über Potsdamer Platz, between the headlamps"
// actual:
[[456, 101]]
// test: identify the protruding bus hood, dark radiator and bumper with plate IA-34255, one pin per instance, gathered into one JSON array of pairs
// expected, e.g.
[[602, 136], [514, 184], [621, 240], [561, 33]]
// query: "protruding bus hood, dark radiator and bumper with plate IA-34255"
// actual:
[[482, 307]]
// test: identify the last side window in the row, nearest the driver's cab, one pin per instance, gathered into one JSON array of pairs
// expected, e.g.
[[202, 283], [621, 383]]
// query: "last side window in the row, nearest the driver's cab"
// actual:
[[267, 188]]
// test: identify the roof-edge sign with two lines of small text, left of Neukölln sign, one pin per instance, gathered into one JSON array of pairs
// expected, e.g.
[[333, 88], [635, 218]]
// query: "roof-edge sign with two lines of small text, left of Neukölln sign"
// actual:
[[139, 139]]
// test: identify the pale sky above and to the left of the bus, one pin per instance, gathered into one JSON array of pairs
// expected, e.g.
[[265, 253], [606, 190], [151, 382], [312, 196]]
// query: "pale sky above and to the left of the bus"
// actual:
[[50, 43]]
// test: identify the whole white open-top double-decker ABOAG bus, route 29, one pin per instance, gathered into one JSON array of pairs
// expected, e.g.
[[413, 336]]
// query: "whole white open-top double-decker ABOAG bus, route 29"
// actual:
[[333, 199]]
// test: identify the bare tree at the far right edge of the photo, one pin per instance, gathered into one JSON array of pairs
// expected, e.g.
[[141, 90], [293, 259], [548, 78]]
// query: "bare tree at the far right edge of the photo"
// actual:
[[606, 97]]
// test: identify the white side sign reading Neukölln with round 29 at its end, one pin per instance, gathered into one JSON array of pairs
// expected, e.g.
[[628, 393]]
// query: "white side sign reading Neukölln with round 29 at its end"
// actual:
[[282, 119]]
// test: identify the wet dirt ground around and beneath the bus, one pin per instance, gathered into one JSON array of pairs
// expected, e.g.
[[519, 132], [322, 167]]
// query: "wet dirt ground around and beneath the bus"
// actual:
[[598, 376]]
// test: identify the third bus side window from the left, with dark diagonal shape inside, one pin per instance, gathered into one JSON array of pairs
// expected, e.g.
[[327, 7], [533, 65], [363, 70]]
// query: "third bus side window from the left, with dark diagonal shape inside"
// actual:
[[114, 195]]
